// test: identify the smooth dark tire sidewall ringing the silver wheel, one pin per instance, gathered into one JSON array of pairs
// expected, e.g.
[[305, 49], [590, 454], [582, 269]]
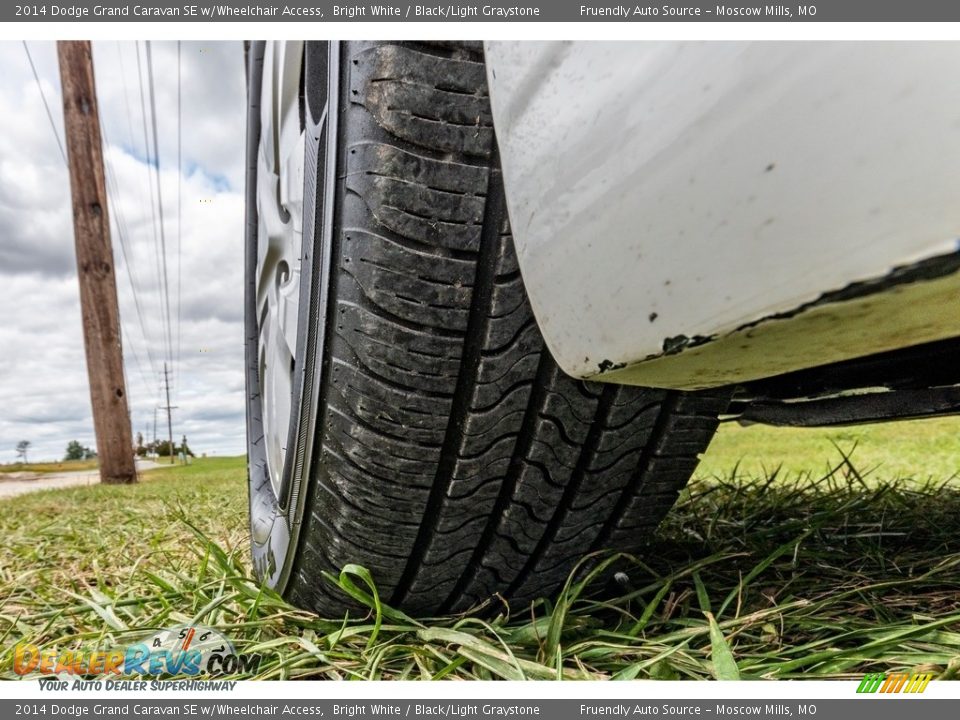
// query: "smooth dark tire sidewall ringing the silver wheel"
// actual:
[[275, 522]]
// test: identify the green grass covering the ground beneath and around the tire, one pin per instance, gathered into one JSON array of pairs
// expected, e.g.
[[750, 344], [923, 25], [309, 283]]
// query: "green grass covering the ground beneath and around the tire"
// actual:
[[817, 577]]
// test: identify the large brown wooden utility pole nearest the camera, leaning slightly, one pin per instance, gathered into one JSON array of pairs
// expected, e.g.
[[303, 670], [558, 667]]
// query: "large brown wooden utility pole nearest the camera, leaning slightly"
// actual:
[[98, 286]]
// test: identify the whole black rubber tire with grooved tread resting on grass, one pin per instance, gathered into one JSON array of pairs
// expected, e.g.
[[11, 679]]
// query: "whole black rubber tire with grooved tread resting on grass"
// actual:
[[431, 437]]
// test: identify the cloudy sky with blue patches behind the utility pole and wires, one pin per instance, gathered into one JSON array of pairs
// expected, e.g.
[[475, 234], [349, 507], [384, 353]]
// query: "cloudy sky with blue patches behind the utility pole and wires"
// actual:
[[43, 386]]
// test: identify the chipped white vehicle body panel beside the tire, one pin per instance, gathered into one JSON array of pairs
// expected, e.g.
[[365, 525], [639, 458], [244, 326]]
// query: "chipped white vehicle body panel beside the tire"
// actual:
[[694, 214]]
